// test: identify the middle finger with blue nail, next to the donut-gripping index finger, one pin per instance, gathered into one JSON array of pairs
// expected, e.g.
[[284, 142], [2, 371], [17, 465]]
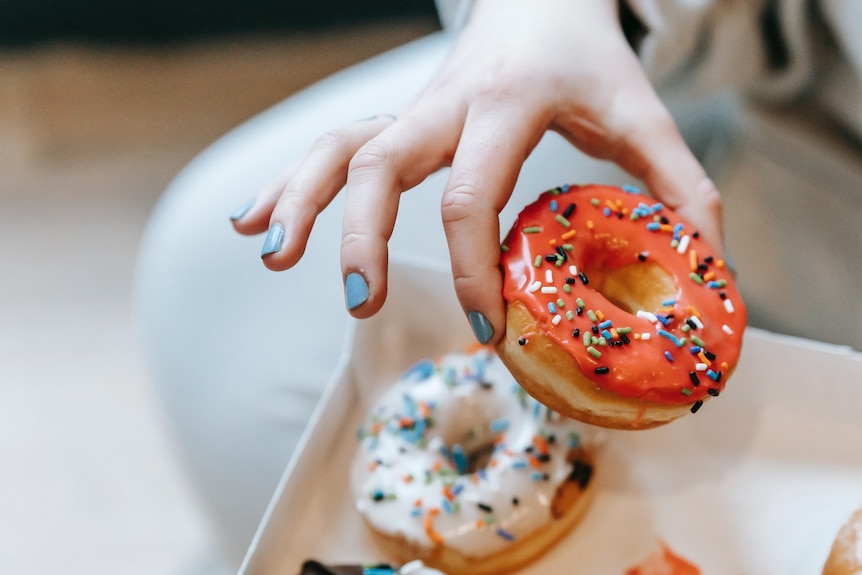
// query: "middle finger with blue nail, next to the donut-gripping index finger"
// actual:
[[397, 159]]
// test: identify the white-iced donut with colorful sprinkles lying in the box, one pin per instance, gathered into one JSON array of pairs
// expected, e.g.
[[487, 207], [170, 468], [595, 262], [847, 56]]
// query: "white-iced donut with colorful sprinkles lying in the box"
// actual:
[[459, 467]]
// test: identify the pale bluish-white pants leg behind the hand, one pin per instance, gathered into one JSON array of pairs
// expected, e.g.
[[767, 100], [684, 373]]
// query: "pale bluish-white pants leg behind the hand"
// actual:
[[239, 353]]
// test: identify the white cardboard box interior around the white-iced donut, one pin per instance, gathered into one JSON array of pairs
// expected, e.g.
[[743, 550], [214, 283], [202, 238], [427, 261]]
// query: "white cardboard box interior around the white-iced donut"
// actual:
[[757, 482]]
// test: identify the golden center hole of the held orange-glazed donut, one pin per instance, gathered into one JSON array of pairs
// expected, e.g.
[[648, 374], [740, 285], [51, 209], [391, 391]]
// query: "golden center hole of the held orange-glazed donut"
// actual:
[[634, 287]]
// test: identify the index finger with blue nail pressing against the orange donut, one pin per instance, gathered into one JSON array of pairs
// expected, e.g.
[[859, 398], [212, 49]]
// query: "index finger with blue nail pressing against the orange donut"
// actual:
[[493, 147]]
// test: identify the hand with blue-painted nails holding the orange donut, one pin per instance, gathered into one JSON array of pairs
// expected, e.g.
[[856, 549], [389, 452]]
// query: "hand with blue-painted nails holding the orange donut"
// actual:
[[516, 71]]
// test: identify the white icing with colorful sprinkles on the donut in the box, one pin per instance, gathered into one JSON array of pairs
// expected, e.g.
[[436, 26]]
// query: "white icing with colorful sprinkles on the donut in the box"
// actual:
[[532, 447]]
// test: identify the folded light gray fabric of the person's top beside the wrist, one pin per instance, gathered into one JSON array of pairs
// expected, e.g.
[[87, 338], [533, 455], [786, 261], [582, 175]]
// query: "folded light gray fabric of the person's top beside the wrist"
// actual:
[[714, 45]]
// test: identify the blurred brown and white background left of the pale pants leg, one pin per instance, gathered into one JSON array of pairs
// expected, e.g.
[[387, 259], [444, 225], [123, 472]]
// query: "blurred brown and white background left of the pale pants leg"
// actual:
[[102, 102]]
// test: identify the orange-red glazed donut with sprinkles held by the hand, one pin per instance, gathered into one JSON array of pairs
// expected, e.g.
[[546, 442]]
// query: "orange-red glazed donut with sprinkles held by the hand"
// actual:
[[617, 313]]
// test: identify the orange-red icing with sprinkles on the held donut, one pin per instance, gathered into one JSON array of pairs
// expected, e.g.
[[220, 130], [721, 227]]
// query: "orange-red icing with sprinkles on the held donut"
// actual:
[[688, 343]]
